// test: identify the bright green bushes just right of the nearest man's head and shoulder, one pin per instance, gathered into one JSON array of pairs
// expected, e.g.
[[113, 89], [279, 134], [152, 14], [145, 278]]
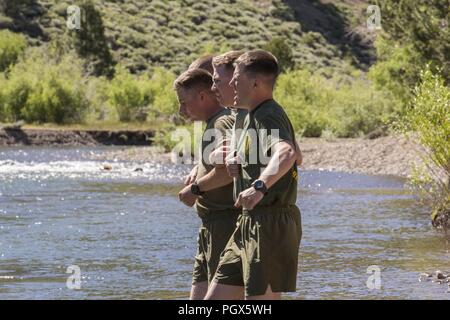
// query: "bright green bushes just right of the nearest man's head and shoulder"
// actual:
[[316, 104]]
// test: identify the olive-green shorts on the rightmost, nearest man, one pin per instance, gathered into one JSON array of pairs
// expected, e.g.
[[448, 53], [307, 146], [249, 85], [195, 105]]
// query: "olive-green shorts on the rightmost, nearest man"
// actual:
[[263, 251]]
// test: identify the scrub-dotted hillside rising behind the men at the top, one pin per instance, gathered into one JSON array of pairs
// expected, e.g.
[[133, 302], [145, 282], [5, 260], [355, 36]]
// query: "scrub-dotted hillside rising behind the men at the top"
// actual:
[[171, 33]]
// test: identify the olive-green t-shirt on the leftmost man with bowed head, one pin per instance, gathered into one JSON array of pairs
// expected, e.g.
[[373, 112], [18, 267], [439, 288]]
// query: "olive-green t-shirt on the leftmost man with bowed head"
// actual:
[[220, 198]]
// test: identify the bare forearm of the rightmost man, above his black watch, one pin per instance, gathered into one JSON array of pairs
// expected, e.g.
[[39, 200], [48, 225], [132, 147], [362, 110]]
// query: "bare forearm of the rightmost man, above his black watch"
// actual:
[[279, 164]]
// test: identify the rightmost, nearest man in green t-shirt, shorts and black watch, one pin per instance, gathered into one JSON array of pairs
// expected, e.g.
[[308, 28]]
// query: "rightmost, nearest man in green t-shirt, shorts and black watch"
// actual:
[[261, 257]]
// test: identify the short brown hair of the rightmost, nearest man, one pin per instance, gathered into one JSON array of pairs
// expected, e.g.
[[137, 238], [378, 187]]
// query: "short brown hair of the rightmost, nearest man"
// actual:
[[259, 62]]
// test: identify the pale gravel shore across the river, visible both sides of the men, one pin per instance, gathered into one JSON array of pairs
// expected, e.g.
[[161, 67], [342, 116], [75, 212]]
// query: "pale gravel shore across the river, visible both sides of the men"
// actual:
[[391, 155]]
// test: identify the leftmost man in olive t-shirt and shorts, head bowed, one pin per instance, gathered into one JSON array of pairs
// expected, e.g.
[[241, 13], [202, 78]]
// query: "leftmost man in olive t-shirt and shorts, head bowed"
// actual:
[[212, 190]]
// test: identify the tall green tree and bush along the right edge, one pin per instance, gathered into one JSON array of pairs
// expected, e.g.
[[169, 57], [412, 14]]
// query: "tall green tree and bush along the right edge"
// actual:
[[415, 35]]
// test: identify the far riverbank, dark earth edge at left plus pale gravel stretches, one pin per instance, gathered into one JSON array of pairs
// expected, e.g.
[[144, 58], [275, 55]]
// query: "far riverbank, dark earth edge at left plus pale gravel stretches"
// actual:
[[390, 155]]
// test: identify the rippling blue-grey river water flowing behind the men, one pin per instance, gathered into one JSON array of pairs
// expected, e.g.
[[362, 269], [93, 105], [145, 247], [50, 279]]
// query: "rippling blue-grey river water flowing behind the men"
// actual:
[[131, 237]]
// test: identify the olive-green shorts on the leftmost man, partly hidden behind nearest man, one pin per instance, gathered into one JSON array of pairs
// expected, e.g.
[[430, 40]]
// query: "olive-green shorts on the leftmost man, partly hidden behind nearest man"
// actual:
[[213, 235]]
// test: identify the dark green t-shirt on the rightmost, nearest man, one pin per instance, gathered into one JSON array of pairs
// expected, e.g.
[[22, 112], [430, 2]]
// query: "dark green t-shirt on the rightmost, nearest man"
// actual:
[[265, 126]]
